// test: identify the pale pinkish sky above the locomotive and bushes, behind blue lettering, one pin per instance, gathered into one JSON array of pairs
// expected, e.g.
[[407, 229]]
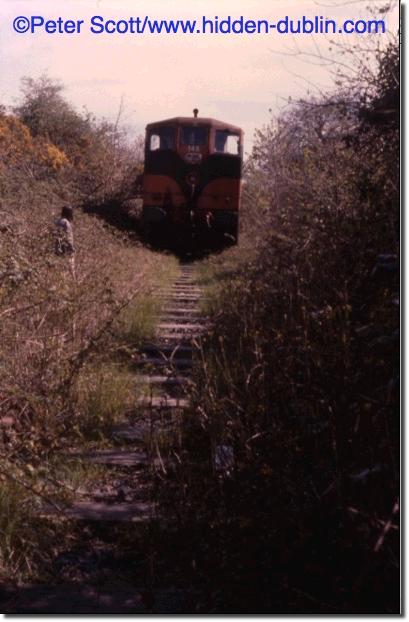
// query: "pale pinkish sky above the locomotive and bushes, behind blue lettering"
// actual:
[[235, 78]]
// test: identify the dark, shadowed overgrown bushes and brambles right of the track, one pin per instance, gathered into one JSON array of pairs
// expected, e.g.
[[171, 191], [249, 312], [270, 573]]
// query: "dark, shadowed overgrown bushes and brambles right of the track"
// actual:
[[289, 465]]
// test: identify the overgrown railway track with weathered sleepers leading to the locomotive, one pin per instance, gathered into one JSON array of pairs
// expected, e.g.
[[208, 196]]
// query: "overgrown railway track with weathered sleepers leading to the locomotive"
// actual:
[[94, 577]]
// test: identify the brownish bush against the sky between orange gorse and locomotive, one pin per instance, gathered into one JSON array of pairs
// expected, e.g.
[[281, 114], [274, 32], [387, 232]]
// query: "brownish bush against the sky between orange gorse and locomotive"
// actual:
[[99, 163]]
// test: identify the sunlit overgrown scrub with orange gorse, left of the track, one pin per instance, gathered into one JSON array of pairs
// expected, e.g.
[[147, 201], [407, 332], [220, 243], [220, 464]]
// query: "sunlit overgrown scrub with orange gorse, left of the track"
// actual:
[[68, 325]]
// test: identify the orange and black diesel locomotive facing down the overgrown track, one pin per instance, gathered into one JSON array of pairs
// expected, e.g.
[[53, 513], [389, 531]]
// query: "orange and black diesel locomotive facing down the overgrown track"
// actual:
[[191, 181]]
